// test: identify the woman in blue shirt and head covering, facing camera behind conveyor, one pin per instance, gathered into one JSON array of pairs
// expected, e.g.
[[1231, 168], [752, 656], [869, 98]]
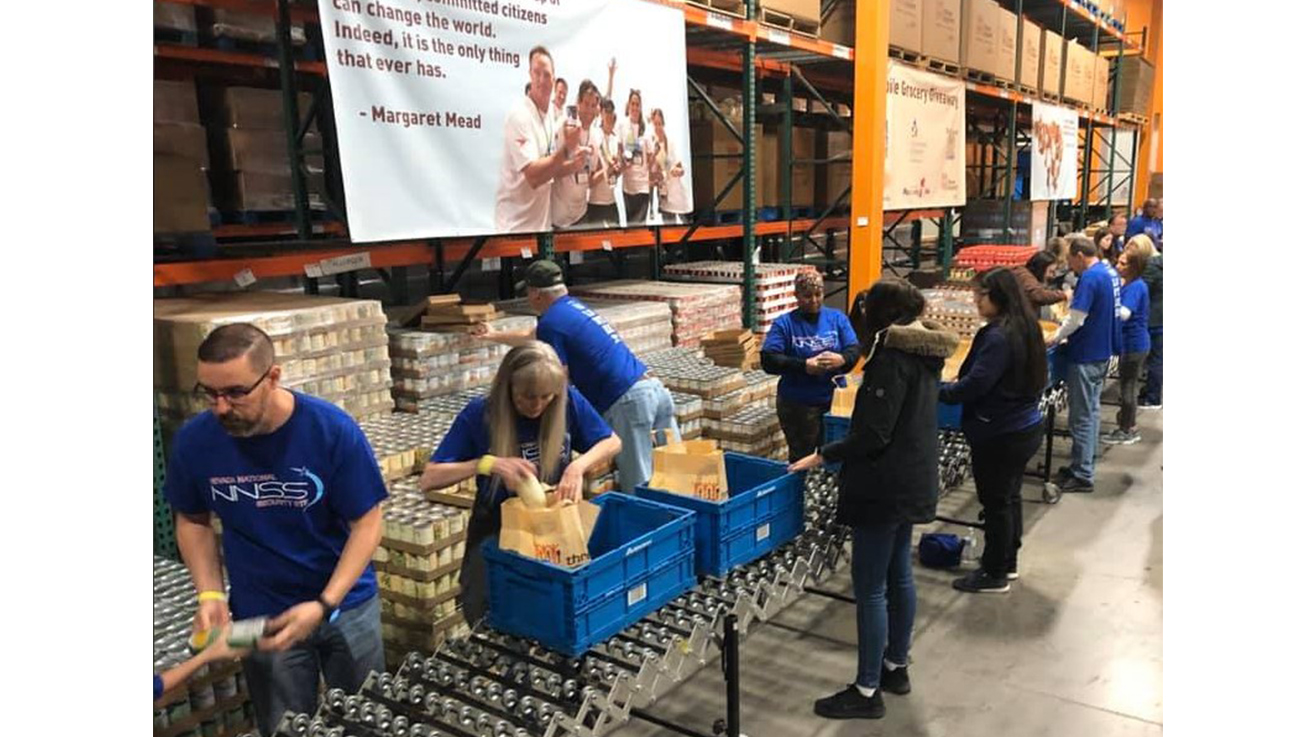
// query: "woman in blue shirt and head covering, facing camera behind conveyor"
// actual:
[[807, 347]]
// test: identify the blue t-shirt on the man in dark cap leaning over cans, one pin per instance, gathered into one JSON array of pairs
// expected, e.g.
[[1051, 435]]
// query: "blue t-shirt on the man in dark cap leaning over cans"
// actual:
[[601, 365]]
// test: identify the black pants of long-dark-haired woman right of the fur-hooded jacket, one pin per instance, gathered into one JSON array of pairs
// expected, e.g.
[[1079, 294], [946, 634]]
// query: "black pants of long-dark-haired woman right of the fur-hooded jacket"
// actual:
[[1000, 465]]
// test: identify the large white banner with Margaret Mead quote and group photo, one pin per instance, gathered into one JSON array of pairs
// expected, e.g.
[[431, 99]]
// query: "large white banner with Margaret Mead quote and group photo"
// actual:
[[469, 118]]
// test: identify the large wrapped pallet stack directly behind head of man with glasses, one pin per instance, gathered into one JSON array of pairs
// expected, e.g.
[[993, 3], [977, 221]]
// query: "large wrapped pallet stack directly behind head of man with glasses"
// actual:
[[331, 348]]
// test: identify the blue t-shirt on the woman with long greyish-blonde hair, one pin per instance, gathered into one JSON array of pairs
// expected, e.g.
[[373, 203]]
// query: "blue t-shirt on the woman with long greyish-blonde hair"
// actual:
[[469, 439]]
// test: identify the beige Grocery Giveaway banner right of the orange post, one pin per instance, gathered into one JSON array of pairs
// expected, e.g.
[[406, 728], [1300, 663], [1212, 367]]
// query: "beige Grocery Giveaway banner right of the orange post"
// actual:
[[926, 140]]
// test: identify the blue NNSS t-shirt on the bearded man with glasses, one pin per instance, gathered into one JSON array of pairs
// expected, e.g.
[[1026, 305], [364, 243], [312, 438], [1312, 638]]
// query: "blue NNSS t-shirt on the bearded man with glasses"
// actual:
[[285, 499]]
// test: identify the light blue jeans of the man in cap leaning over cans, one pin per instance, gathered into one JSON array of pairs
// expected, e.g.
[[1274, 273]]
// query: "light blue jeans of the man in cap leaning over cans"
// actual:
[[645, 407]]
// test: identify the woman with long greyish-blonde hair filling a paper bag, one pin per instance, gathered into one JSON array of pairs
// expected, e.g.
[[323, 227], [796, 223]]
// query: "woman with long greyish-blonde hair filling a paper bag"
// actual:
[[527, 428]]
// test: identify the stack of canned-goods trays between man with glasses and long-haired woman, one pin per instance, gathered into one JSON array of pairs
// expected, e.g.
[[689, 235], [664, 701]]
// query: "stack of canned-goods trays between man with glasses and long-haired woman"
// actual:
[[419, 563]]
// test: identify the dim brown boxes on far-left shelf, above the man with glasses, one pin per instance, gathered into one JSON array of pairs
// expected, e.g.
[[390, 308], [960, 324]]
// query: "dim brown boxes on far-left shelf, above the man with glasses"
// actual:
[[181, 191]]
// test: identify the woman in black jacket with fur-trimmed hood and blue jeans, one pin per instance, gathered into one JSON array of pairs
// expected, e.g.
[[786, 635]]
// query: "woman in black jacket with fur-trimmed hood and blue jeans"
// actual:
[[889, 484]]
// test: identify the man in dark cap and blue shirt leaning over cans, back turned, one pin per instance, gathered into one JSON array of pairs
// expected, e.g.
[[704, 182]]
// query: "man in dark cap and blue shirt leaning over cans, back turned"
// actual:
[[602, 368]]
